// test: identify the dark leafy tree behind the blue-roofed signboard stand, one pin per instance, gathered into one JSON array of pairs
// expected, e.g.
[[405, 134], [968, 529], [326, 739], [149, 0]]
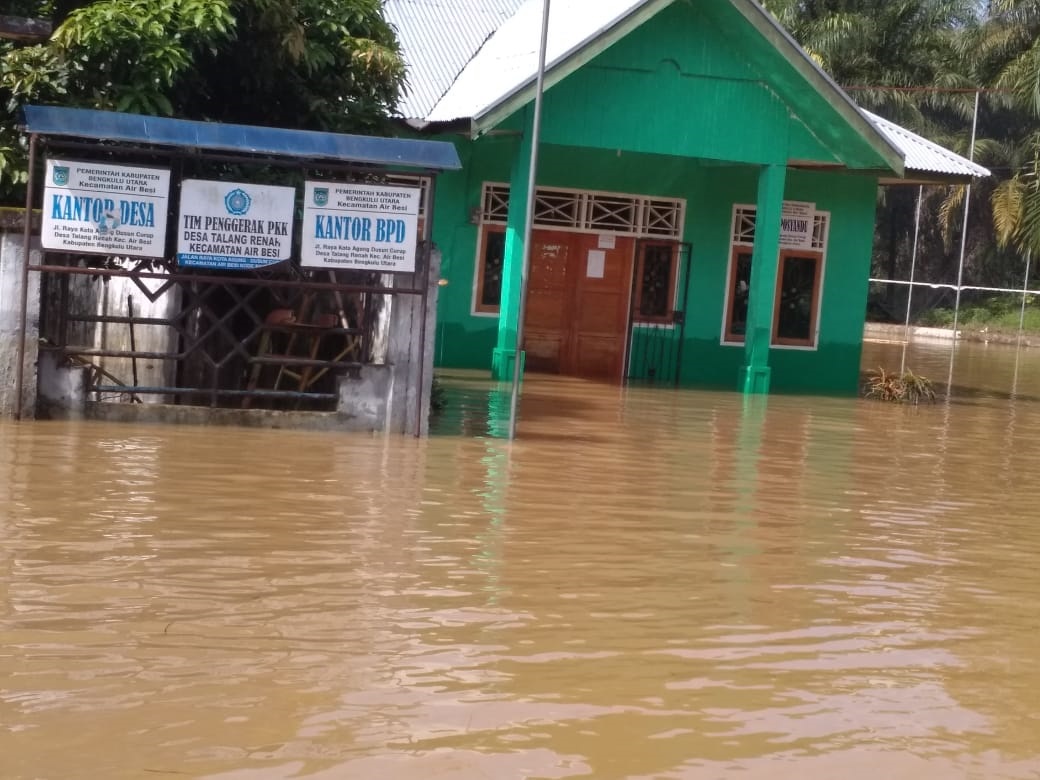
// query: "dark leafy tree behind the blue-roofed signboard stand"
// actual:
[[323, 65]]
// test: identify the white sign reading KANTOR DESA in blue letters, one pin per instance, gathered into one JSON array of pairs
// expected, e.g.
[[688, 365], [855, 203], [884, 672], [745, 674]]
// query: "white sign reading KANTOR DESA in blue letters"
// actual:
[[93, 207]]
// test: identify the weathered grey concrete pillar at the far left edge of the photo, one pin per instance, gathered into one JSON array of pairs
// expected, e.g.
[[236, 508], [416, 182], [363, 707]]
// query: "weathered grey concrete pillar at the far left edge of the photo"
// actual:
[[12, 261]]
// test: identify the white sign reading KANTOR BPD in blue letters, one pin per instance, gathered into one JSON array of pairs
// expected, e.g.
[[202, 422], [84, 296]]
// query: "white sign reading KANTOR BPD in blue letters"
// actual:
[[360, 226]]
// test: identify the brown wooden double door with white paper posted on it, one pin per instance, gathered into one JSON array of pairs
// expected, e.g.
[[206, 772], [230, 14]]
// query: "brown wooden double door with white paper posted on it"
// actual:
[[579, 301]]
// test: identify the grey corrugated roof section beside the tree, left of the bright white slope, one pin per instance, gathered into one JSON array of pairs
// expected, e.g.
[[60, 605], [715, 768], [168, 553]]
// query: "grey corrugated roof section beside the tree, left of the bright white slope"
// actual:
[[438, 38]]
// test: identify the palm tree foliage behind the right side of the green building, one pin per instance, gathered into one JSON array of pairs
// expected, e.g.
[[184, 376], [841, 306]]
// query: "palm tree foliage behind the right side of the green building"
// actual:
[[923, 63]]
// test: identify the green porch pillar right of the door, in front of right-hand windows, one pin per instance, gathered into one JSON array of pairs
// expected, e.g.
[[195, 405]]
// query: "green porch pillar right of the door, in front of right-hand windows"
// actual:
[[764, 279]]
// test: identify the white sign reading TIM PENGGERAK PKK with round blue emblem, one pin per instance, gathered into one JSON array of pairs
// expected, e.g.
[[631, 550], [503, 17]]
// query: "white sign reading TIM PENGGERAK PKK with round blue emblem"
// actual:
[[235, 226]]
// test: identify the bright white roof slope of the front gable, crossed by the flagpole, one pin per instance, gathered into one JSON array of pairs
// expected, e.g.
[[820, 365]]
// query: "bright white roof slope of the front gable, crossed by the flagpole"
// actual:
[[510, 59]]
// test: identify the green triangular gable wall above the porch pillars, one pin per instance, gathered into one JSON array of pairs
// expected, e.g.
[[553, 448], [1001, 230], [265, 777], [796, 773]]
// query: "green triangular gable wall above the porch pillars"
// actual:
[[685, 84]]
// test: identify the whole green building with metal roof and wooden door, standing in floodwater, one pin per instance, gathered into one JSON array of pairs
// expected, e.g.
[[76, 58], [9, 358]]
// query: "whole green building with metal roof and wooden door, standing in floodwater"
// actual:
[[706, 195]]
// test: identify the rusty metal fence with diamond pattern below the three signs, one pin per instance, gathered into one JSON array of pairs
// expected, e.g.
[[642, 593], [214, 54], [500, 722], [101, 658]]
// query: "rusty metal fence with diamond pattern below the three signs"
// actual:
[[148, 331]]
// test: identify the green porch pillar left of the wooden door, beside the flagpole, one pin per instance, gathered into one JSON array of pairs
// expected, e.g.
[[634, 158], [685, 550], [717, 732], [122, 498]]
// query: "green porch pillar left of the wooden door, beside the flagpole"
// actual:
[[505, 356]]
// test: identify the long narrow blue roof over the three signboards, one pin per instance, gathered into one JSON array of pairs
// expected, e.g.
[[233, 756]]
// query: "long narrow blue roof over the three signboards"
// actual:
[[85, 123]]
